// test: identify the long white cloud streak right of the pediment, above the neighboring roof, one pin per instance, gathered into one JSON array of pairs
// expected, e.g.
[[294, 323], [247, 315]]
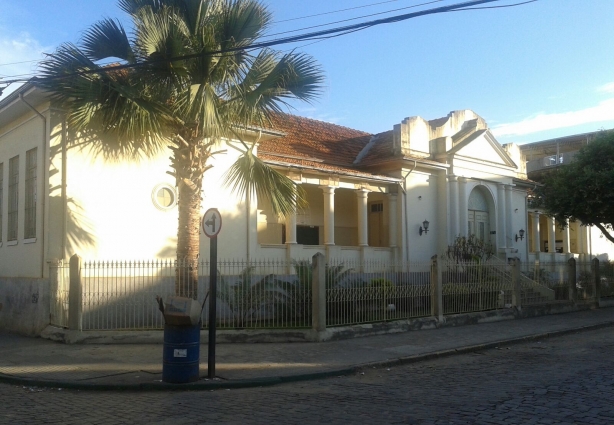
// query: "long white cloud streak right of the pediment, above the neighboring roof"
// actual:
[[604, 111]]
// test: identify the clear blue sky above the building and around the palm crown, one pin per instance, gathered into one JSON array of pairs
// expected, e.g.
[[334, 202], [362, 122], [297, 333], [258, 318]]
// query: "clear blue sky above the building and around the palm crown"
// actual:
[[534, 72]]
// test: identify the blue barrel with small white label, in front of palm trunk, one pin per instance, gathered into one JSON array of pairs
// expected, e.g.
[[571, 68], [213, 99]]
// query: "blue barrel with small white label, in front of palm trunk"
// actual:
[[181, 354]]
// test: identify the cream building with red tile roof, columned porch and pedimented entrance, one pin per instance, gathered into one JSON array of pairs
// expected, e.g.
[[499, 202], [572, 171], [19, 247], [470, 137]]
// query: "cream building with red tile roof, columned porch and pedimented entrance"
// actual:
[[368, 194]]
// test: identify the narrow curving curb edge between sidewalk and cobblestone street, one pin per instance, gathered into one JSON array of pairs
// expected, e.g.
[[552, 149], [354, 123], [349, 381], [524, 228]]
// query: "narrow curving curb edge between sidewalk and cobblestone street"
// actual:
[[269, 381]]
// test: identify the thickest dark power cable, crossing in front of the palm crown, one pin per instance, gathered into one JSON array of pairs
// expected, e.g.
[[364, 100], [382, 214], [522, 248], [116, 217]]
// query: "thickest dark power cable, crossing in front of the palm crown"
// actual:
[[318, 35]]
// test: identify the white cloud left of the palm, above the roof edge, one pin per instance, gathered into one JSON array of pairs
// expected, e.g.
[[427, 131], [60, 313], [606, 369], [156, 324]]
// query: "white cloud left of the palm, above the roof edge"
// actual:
[[20, 55]]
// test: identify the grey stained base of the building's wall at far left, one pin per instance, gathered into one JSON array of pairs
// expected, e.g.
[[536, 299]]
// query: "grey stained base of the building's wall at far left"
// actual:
[[24, 305]]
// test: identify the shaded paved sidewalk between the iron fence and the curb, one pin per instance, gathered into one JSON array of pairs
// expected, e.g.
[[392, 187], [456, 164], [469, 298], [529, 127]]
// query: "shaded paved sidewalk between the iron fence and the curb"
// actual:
[[39, 362]]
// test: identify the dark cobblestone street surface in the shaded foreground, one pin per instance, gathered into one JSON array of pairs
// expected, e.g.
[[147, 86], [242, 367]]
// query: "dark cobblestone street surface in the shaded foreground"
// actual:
[[562, 380]]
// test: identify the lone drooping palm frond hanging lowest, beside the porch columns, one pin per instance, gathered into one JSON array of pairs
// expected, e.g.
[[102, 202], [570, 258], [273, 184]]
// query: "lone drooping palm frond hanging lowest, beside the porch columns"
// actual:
[[250, 175]]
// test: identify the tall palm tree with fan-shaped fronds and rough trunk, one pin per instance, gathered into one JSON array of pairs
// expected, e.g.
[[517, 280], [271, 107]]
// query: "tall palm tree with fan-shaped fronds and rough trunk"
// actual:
[[135, 97]]
